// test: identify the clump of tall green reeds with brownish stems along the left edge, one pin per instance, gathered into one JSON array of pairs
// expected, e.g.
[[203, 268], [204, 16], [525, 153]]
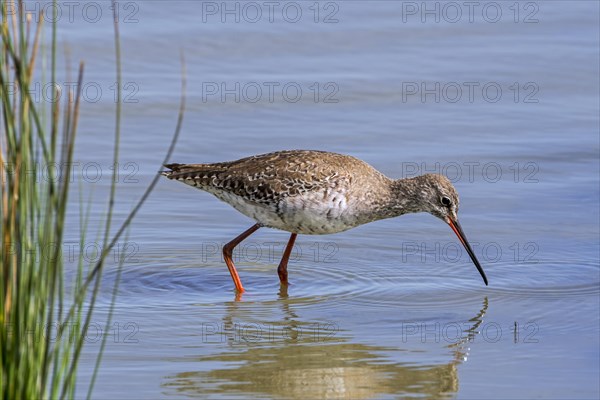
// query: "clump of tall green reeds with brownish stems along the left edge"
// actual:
[[35, 363]]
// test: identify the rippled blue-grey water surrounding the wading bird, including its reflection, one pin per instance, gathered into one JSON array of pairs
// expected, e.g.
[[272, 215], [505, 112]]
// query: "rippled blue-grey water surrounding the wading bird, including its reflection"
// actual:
[[506, 105]]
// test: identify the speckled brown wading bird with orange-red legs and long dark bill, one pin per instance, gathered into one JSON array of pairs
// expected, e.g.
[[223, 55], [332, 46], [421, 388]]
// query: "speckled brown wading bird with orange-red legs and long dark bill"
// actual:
[[316, 192]]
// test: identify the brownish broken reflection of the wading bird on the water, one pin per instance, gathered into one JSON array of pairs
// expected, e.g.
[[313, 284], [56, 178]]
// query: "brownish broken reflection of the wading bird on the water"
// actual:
[[300, 367]]
